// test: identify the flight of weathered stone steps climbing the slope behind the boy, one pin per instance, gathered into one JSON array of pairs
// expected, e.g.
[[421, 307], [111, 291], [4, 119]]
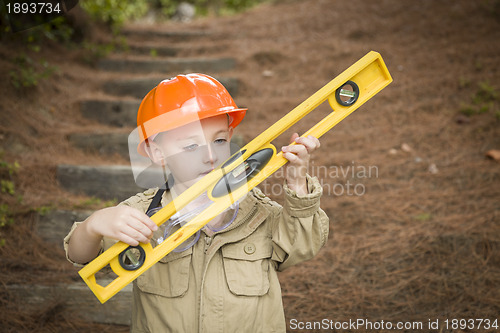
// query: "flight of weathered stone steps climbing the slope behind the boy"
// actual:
[[118, 111]]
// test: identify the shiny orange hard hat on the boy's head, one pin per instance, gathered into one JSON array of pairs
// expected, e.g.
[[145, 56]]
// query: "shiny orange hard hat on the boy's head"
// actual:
[[181, 100]]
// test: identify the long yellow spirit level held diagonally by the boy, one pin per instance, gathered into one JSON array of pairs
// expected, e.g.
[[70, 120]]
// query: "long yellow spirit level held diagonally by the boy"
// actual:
[[240, 173]]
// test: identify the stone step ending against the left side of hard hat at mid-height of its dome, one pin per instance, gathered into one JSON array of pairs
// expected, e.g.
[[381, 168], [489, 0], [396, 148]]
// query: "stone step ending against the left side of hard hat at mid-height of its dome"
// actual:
[[113, 112]]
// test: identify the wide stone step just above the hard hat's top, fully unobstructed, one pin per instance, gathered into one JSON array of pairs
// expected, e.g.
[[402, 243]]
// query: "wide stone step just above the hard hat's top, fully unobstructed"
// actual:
[[143, 66]]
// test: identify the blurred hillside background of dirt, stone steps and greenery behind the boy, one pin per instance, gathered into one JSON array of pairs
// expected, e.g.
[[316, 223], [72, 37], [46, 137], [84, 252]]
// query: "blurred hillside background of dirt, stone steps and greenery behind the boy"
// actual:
[[411, 179]]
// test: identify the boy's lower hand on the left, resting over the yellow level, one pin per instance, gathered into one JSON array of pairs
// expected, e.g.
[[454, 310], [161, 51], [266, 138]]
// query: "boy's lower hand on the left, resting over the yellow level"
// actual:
[[122, 223]]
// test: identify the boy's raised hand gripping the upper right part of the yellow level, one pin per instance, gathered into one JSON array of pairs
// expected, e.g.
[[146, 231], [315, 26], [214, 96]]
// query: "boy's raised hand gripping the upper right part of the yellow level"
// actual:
[[298, 156]]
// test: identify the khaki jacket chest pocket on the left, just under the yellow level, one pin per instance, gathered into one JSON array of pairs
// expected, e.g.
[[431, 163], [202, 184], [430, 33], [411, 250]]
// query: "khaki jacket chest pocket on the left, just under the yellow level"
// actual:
[[169, 277]]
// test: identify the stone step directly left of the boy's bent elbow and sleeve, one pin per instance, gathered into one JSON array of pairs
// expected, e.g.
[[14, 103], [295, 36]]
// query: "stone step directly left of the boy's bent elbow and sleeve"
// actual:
[[54, 225]]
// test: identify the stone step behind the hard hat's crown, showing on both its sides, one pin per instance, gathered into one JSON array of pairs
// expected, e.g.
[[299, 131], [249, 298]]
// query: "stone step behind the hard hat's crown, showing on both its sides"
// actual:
[[138, 88]]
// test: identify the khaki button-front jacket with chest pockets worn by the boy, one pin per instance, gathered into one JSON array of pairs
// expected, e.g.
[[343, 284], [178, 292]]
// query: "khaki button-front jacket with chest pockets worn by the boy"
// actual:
[[229, 282]]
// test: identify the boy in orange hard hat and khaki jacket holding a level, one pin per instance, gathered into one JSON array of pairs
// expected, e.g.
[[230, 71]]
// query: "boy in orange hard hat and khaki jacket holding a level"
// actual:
[[227, 280]]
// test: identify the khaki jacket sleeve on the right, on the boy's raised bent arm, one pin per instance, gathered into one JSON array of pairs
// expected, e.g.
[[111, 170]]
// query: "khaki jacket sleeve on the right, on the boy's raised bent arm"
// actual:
[[301, 228]]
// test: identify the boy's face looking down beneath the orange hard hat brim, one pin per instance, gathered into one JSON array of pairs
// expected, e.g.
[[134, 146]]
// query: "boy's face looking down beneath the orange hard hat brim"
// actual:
[[193, 150]]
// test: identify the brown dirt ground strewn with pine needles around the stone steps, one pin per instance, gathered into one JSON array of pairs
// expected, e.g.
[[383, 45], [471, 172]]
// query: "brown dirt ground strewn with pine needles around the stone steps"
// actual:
[[414, 201]]
